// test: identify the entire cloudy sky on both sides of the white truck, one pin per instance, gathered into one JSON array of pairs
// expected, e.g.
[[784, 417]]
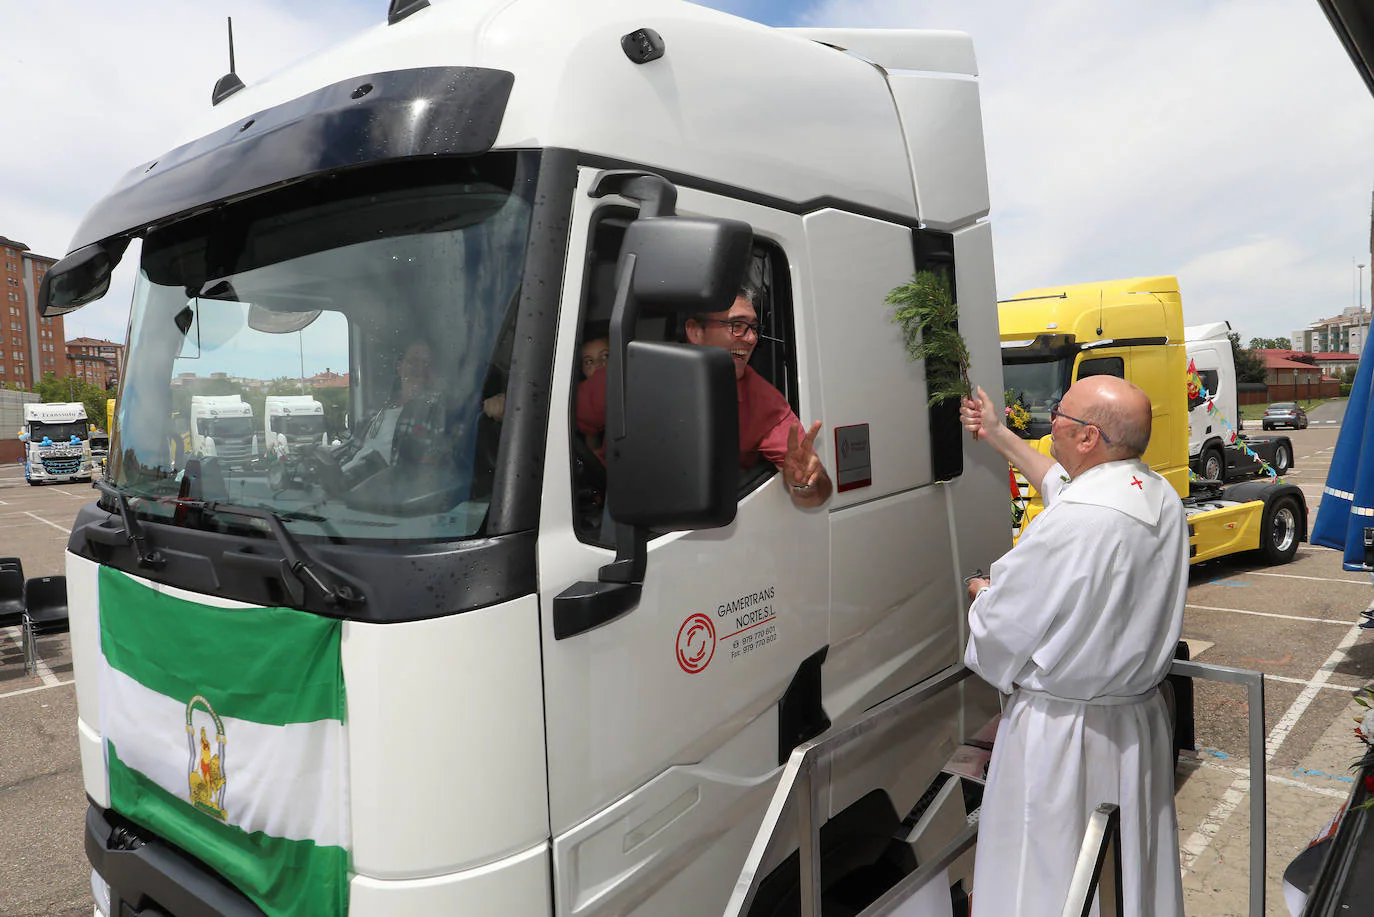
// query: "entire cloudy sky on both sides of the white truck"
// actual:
[[1229, 144]]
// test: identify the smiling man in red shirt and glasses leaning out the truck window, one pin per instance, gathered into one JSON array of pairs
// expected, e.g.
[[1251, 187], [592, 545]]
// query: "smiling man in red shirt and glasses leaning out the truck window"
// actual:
[[767, 426]]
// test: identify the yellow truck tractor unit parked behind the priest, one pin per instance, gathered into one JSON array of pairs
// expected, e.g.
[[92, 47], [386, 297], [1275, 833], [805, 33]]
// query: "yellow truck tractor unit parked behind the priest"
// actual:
[[1134, 329]]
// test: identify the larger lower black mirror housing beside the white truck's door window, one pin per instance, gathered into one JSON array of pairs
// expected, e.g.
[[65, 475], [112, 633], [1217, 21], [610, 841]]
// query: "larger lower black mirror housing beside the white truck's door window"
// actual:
[[678, 465]]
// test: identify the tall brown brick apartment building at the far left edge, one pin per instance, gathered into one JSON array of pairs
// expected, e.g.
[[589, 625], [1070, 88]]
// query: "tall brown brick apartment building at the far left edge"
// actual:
[[28, 343]]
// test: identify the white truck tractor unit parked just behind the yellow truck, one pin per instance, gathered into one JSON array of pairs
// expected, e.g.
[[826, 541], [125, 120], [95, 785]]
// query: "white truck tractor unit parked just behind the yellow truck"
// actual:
[[1219, 449]]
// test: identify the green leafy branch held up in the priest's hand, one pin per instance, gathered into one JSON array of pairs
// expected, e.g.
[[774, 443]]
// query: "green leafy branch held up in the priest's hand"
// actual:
[[925, 310]]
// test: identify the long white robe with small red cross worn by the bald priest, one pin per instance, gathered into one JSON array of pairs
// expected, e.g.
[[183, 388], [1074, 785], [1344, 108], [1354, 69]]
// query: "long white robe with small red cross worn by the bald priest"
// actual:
[[1081, 628]]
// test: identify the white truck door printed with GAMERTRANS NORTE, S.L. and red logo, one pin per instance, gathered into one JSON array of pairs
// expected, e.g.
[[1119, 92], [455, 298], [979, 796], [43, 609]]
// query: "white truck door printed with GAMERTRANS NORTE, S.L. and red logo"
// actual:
[[664, 729]]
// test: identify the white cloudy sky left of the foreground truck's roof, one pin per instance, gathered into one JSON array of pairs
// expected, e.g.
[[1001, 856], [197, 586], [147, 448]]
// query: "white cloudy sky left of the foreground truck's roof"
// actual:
[[111, 86]]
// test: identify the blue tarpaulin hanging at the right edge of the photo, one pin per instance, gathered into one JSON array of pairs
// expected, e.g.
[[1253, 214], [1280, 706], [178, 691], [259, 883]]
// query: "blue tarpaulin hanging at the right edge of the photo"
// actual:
[[1349, 497]]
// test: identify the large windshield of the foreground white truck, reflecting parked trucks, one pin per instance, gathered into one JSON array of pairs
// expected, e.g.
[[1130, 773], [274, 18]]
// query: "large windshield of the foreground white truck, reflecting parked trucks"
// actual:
[[387, 295]]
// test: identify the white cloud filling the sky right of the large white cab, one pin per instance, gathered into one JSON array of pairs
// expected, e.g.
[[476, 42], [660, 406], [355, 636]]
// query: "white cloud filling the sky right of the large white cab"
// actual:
[[1222, 142]]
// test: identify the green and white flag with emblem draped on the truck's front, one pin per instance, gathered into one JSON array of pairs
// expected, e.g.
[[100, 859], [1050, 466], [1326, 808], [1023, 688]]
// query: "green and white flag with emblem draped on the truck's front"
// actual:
[[225, 735]]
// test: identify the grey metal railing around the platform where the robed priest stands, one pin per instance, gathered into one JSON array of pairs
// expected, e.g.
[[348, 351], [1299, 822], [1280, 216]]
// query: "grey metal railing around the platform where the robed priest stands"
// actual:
[[800, 784]]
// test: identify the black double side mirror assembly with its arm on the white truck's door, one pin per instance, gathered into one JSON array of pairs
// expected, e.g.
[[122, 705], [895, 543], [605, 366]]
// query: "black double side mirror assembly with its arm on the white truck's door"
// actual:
[[673, 421]]
